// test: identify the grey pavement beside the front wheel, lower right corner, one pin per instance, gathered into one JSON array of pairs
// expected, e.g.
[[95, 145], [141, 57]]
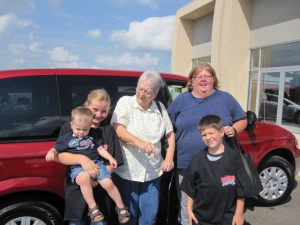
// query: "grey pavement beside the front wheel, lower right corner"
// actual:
[[285, 214]]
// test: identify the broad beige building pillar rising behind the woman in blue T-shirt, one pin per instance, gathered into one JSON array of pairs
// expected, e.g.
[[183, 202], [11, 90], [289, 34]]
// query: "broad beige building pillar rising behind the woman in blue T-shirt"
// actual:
[[230, 46]]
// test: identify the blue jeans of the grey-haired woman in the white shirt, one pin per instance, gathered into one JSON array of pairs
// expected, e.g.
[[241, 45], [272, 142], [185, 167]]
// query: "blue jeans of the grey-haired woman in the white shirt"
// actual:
[[142, 199]]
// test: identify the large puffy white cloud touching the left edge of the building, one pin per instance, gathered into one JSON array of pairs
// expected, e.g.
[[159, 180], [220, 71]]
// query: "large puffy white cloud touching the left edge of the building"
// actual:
[[154, 33]]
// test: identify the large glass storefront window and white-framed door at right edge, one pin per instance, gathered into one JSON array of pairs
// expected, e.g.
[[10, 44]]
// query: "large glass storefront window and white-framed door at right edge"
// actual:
[[274, 91]]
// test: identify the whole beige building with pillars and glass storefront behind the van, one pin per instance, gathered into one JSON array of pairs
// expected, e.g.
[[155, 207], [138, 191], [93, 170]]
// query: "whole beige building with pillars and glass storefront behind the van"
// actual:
[[254, 45]]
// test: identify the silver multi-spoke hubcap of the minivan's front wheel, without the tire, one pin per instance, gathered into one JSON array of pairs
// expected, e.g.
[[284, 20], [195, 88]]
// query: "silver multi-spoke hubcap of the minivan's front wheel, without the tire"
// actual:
[[274, 181]]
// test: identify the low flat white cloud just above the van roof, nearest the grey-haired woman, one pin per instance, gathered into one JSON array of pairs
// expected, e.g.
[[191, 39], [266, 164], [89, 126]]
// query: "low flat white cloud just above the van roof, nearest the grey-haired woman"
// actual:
[[127, 60]]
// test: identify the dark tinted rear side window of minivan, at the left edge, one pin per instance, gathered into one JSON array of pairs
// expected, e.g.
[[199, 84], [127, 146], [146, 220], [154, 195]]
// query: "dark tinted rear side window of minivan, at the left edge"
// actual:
[[29, 108]]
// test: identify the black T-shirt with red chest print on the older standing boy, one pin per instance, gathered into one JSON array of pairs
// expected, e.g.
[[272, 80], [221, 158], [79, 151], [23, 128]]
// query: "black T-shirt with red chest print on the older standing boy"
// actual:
[[215, 186]]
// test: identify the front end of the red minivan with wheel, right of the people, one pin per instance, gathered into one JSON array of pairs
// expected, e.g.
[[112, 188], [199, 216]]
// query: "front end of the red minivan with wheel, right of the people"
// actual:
[[273, 150]]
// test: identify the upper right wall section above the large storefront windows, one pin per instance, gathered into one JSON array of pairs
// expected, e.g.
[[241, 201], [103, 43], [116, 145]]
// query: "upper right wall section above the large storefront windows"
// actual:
[[274, 22]]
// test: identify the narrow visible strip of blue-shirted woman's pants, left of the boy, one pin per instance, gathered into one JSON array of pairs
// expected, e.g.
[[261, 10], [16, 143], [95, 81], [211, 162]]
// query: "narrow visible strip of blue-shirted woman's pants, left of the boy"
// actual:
[[182, 217]]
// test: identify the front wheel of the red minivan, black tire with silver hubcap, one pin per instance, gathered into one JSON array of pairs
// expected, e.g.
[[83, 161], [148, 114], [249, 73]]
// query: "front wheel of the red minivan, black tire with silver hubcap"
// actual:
[[277, 177]]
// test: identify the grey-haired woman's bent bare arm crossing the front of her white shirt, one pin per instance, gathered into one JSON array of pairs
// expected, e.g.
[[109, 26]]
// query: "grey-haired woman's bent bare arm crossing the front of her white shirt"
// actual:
[[130, 139]]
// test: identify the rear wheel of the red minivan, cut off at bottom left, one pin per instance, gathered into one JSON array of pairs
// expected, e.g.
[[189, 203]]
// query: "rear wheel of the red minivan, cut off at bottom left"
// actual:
[[34, 212]]
